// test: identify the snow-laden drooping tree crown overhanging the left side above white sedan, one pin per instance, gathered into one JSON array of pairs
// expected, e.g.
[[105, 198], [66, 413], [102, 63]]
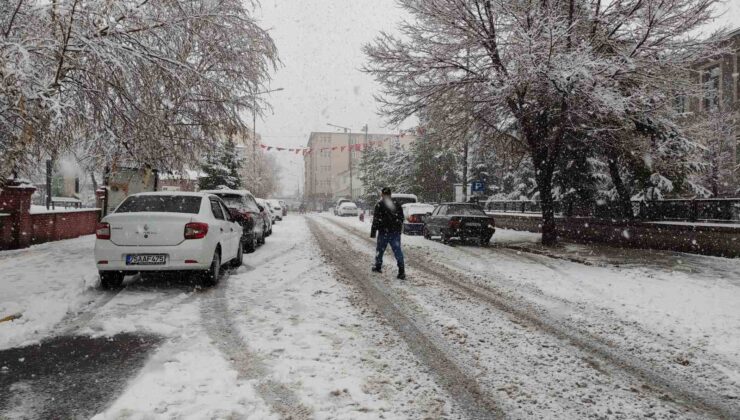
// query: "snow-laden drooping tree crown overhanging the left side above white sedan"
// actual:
[[129, 81]]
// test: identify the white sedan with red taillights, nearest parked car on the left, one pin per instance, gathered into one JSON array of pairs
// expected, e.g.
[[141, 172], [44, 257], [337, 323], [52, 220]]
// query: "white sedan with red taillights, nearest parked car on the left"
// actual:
[[167, 231]]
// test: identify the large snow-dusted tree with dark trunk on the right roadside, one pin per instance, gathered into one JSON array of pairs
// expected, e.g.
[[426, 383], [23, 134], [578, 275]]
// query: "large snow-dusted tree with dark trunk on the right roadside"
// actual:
[[556, 70]]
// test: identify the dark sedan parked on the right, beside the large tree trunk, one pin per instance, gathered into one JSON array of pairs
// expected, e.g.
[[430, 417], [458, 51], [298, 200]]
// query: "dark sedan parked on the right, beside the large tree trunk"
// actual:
[[464, 221]]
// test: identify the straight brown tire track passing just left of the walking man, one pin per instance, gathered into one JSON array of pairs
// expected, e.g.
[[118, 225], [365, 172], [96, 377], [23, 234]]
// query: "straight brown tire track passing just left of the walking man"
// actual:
[[460, 385]]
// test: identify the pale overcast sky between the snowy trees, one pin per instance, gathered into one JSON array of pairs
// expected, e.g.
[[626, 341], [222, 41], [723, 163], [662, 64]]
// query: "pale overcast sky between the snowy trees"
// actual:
[[319, 42]]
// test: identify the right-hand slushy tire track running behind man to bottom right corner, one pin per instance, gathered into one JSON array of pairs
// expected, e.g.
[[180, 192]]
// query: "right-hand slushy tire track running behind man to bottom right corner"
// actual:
[[679, 388]]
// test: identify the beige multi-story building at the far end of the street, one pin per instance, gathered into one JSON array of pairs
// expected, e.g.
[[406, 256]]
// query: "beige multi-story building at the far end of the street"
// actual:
[[332, 167]]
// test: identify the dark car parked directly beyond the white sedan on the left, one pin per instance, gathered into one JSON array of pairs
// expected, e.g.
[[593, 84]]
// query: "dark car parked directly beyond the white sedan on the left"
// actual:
[[245, 210]]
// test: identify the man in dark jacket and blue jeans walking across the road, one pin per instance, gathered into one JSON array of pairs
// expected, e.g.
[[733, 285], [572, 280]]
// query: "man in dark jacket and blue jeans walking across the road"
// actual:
[[388, 223]]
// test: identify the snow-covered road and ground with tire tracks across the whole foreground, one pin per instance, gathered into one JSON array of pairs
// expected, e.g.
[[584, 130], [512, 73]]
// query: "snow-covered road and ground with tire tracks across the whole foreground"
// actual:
[[304, 330]]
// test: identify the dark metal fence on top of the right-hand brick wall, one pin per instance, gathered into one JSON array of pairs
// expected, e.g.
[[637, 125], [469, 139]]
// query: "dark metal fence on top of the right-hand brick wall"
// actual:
[[692, 210]]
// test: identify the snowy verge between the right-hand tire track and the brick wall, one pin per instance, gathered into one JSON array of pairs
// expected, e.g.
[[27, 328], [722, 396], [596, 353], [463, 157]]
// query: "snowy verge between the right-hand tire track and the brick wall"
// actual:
[[691, 298]]
